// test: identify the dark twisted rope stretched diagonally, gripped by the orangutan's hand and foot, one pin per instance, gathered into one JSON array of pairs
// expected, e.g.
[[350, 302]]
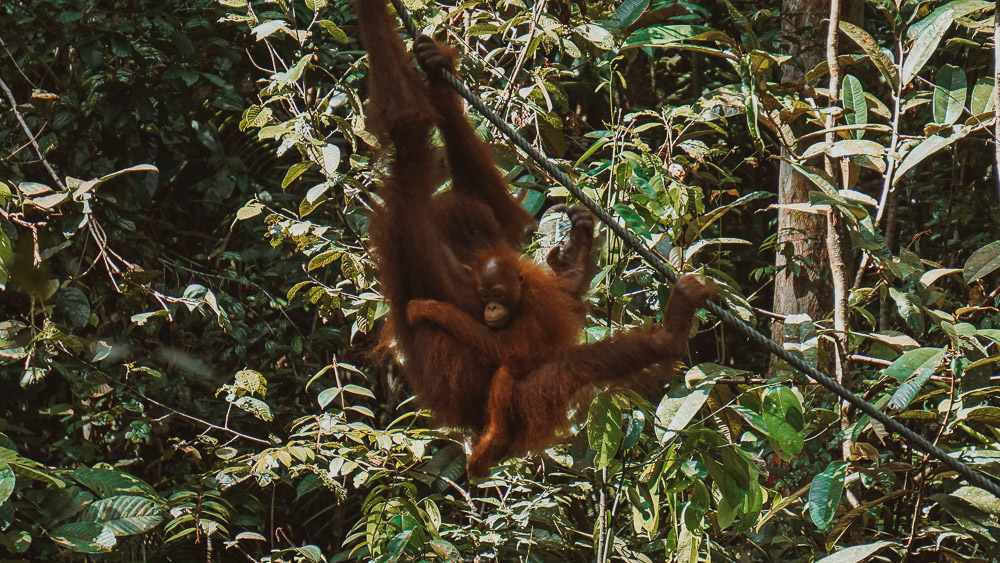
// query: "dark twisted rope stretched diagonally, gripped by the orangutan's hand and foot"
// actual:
[[656, 262]]
